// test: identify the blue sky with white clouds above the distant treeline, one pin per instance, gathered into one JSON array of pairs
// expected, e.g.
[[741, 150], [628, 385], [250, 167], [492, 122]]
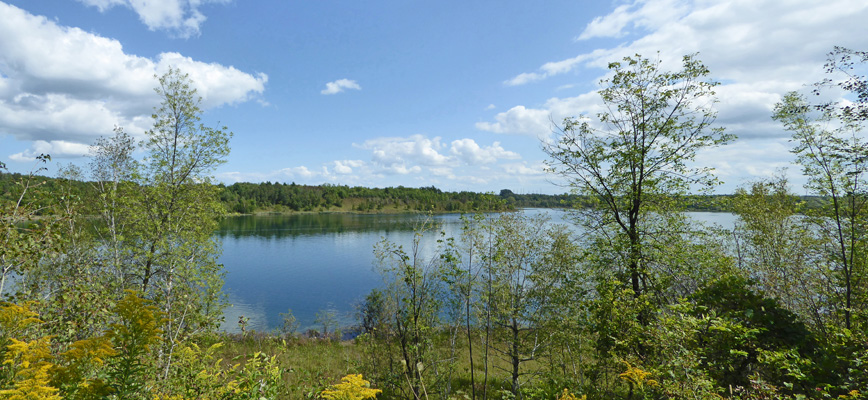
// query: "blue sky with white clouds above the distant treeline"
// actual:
[[455, 94]]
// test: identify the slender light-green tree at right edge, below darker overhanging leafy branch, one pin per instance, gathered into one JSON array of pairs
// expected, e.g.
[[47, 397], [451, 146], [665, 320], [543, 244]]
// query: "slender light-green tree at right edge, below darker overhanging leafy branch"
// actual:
[[833, 157]]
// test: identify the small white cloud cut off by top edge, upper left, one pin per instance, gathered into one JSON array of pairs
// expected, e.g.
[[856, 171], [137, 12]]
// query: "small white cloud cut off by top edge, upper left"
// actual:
[[180, 17]]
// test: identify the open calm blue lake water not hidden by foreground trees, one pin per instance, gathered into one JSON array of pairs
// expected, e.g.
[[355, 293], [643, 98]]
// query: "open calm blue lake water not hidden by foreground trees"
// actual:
[[313, 262]]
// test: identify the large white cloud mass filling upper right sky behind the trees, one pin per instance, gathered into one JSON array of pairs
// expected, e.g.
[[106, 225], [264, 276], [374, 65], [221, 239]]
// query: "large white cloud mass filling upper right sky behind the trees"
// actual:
[[759, 49]]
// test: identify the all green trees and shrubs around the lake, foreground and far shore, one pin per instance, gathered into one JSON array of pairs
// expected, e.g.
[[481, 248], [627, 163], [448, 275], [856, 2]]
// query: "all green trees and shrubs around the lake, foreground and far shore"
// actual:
[[111, 287]]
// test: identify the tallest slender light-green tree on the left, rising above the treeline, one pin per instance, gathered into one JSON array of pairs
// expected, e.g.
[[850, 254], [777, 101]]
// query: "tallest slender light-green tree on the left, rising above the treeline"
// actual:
[[180, 207]]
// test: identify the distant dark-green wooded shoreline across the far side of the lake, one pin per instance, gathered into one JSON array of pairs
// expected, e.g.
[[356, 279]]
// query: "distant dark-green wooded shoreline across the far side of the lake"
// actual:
[[264, 198]]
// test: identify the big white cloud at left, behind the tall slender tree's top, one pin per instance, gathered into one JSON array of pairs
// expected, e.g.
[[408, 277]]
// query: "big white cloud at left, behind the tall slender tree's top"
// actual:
[[61, 83]]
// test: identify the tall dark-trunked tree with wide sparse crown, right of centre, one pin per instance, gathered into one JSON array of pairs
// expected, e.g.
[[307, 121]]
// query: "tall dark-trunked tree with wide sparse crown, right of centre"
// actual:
[[635, 157]]
